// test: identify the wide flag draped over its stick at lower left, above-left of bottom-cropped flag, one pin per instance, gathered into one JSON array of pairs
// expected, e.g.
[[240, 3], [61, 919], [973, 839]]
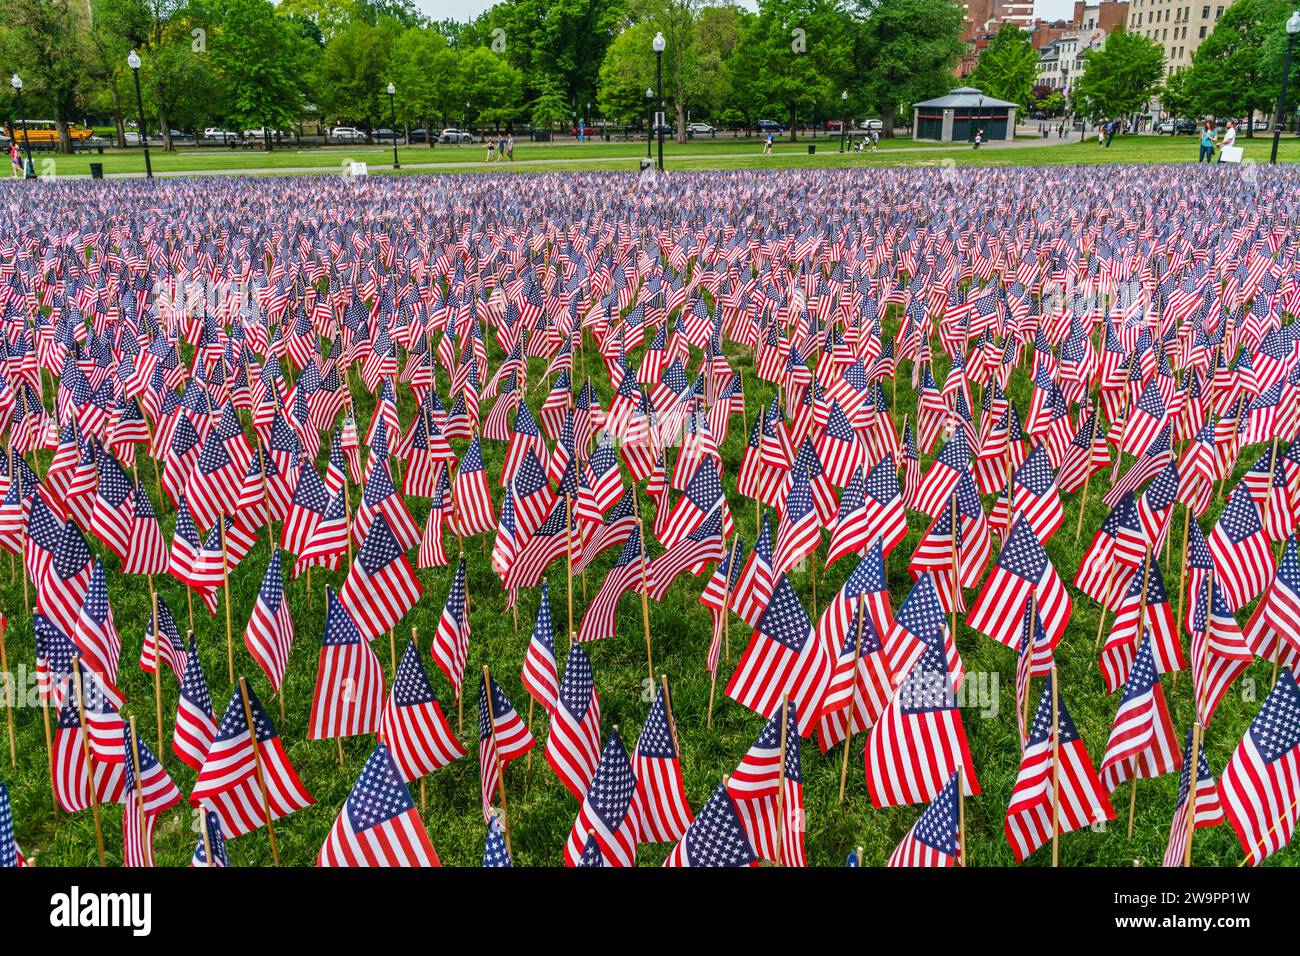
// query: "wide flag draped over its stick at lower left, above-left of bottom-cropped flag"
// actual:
[[241, 763]]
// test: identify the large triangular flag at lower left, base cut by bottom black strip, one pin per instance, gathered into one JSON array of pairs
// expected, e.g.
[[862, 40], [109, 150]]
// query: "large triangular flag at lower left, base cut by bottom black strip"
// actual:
[[379, 825]]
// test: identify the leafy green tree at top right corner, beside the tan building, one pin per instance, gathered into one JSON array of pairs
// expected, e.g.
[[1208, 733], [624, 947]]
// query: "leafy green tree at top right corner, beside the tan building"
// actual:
[[1236, 72]]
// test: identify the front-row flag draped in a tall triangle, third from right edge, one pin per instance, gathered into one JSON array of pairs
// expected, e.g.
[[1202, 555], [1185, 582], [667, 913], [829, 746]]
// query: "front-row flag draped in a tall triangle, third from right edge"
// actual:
[[1056, 780]]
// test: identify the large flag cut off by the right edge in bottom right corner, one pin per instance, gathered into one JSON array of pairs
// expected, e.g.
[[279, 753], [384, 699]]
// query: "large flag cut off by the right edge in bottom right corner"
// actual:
[[1260, 786]]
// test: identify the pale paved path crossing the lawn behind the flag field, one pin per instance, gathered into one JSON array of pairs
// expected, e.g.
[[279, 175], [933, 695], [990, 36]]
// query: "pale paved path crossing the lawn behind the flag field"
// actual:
[[565, 161]]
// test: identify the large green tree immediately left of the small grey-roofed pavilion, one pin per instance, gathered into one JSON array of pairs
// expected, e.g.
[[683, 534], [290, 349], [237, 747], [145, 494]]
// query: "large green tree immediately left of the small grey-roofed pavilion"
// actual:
[[904, 51]]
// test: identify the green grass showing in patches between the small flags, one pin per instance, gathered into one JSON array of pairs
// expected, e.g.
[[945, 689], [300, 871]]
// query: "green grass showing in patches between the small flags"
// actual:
[[541, 811]]
